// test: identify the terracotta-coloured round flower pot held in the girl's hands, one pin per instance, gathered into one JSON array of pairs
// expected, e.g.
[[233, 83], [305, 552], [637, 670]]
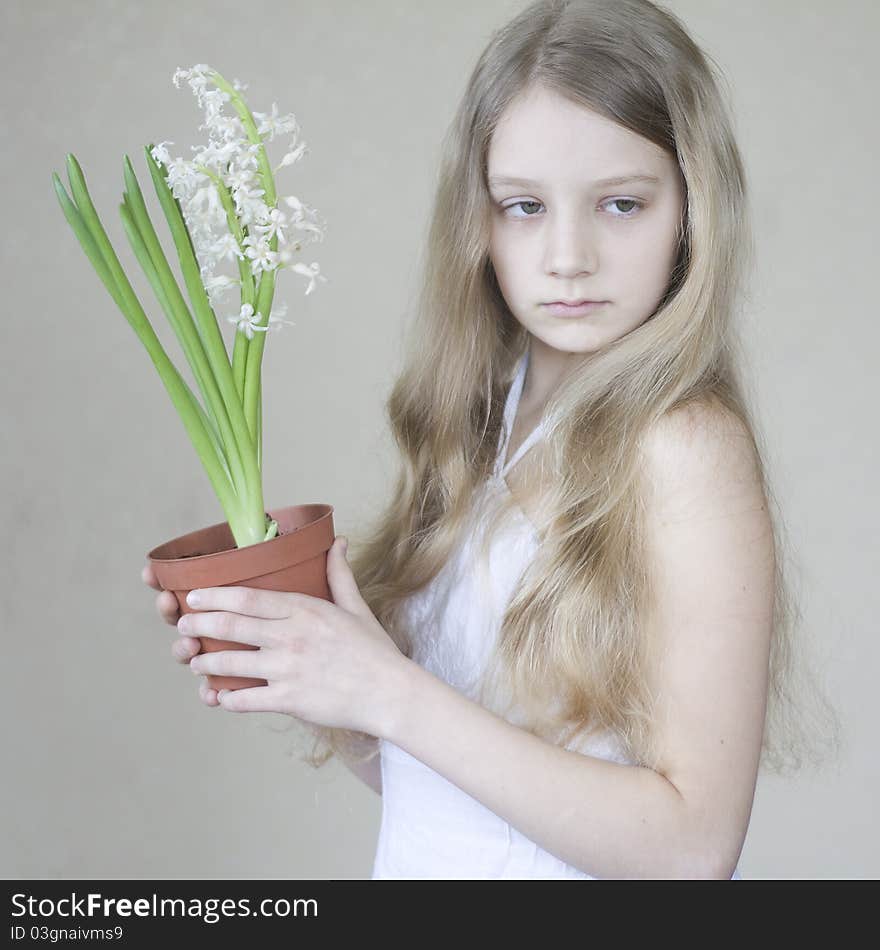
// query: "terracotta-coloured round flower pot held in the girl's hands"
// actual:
[[295, 560]]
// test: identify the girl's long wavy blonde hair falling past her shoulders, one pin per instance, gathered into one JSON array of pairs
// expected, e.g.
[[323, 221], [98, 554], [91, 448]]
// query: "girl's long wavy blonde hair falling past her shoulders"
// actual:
[[571, 650]]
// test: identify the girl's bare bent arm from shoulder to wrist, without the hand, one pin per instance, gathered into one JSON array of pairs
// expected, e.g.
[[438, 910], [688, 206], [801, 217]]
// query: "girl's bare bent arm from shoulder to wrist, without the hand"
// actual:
[[711, 549]]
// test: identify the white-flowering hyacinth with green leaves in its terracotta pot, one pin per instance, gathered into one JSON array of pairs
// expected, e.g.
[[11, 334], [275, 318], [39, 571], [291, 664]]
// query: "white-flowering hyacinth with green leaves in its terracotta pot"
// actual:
[[221, 206]]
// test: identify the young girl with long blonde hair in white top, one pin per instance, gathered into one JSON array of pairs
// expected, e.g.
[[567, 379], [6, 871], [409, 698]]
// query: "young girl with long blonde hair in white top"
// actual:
[[566, 629]]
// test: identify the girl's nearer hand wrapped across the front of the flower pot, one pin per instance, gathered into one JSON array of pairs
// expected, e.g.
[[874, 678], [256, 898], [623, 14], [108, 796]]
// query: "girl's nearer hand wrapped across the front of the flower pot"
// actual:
[[331, 664]]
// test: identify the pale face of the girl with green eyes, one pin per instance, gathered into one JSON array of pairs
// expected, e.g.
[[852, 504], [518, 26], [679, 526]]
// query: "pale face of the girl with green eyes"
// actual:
[[559, 234]]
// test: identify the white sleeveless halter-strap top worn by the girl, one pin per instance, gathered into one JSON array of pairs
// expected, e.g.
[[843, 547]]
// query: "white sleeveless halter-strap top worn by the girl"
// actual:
[[430, 828]]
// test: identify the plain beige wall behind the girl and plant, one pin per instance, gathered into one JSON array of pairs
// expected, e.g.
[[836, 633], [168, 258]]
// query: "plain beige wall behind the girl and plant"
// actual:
[[112, 766]]
